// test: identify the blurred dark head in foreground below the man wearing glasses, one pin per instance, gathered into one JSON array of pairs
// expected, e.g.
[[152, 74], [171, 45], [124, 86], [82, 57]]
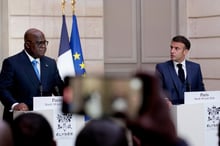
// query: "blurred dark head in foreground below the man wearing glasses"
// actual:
[[32, 129]]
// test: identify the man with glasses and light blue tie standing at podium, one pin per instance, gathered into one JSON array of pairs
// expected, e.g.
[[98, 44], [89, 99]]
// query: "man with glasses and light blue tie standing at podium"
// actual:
[[20, 81]]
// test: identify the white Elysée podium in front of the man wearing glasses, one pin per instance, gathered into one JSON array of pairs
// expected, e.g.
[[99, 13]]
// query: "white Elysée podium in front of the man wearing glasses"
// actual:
[[65, 126]]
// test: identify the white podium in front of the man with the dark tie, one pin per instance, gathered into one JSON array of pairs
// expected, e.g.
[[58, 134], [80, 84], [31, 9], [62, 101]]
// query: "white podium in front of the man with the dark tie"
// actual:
[[197, 120]]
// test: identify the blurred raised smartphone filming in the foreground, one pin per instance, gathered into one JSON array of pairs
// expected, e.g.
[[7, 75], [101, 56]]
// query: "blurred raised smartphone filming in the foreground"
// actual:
[[102, 96]]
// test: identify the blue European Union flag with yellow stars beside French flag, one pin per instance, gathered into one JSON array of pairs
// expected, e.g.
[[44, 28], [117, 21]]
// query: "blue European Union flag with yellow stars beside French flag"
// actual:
[[75, 46]]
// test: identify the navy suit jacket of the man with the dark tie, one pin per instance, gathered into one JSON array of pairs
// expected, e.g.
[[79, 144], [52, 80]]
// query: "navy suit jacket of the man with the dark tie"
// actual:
[[173, 86]]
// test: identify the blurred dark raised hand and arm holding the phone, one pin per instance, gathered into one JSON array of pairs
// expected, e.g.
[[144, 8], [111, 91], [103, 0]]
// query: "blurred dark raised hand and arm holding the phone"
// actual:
[[153, 126]]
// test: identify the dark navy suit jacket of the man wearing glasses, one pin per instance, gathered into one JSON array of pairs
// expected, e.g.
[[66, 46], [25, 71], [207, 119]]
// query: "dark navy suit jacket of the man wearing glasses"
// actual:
[[19, 83]]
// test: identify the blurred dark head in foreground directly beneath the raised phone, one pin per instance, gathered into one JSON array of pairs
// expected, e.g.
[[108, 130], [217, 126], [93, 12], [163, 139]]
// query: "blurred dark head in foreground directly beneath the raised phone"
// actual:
[[101, 132]]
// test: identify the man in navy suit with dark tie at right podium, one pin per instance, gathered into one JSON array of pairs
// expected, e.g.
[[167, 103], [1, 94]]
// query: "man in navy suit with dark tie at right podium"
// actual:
[[179, 75]]
